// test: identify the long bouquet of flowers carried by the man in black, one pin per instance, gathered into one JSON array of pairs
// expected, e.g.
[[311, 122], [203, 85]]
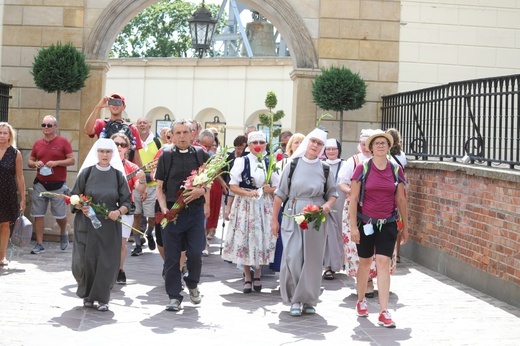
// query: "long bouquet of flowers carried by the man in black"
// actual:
[[203, 177]]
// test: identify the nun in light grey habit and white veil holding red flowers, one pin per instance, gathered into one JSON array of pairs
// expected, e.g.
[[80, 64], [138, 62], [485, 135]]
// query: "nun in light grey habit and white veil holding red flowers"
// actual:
[[302, 260]]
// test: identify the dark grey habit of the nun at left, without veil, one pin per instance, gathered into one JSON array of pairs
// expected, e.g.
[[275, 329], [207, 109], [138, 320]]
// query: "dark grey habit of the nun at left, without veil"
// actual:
[[96, 253]]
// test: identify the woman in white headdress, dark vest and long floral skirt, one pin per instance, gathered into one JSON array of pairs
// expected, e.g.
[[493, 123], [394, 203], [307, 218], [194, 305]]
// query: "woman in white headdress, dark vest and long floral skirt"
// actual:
[[249, 241]]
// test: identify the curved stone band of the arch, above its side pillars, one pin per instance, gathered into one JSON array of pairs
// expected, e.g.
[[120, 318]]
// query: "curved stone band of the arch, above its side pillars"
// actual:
[[283, 16]]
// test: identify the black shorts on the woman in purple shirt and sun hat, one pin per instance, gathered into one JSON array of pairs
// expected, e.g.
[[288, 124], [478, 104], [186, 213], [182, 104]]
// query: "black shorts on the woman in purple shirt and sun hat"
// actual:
[[382, 241]]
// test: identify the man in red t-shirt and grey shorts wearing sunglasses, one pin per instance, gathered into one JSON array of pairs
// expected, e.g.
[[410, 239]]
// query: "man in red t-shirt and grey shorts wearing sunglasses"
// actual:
[[50, 156]]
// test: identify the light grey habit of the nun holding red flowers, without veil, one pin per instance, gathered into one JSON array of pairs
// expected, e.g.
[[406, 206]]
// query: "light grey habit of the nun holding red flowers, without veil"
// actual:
[[302, 259]]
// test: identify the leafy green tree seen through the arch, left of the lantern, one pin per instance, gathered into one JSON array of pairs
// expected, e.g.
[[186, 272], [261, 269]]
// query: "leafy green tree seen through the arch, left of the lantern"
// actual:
[[160, 30]]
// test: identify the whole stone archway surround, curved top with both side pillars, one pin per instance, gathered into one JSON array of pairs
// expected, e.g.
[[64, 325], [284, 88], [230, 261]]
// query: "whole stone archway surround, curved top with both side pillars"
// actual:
[[280, 12]]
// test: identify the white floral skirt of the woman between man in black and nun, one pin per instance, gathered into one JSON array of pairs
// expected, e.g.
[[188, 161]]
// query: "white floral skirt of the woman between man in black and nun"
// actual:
[[248, 240]]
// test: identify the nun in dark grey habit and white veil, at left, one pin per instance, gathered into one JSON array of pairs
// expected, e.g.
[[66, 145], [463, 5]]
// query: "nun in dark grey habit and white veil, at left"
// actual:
[[97, 251]]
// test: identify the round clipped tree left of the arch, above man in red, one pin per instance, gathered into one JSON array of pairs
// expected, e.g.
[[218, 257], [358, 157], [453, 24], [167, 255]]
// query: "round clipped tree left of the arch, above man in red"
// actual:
[[60, 68]]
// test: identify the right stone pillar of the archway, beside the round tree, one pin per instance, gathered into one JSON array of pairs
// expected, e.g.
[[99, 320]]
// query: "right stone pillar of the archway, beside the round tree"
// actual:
[[304, 108]]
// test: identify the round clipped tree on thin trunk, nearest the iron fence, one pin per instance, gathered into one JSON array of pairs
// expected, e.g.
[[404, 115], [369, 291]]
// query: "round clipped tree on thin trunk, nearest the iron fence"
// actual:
[[339, 89]]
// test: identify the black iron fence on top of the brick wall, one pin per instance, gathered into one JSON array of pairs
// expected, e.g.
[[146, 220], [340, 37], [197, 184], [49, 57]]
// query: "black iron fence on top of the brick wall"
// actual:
[[477, 118]]
